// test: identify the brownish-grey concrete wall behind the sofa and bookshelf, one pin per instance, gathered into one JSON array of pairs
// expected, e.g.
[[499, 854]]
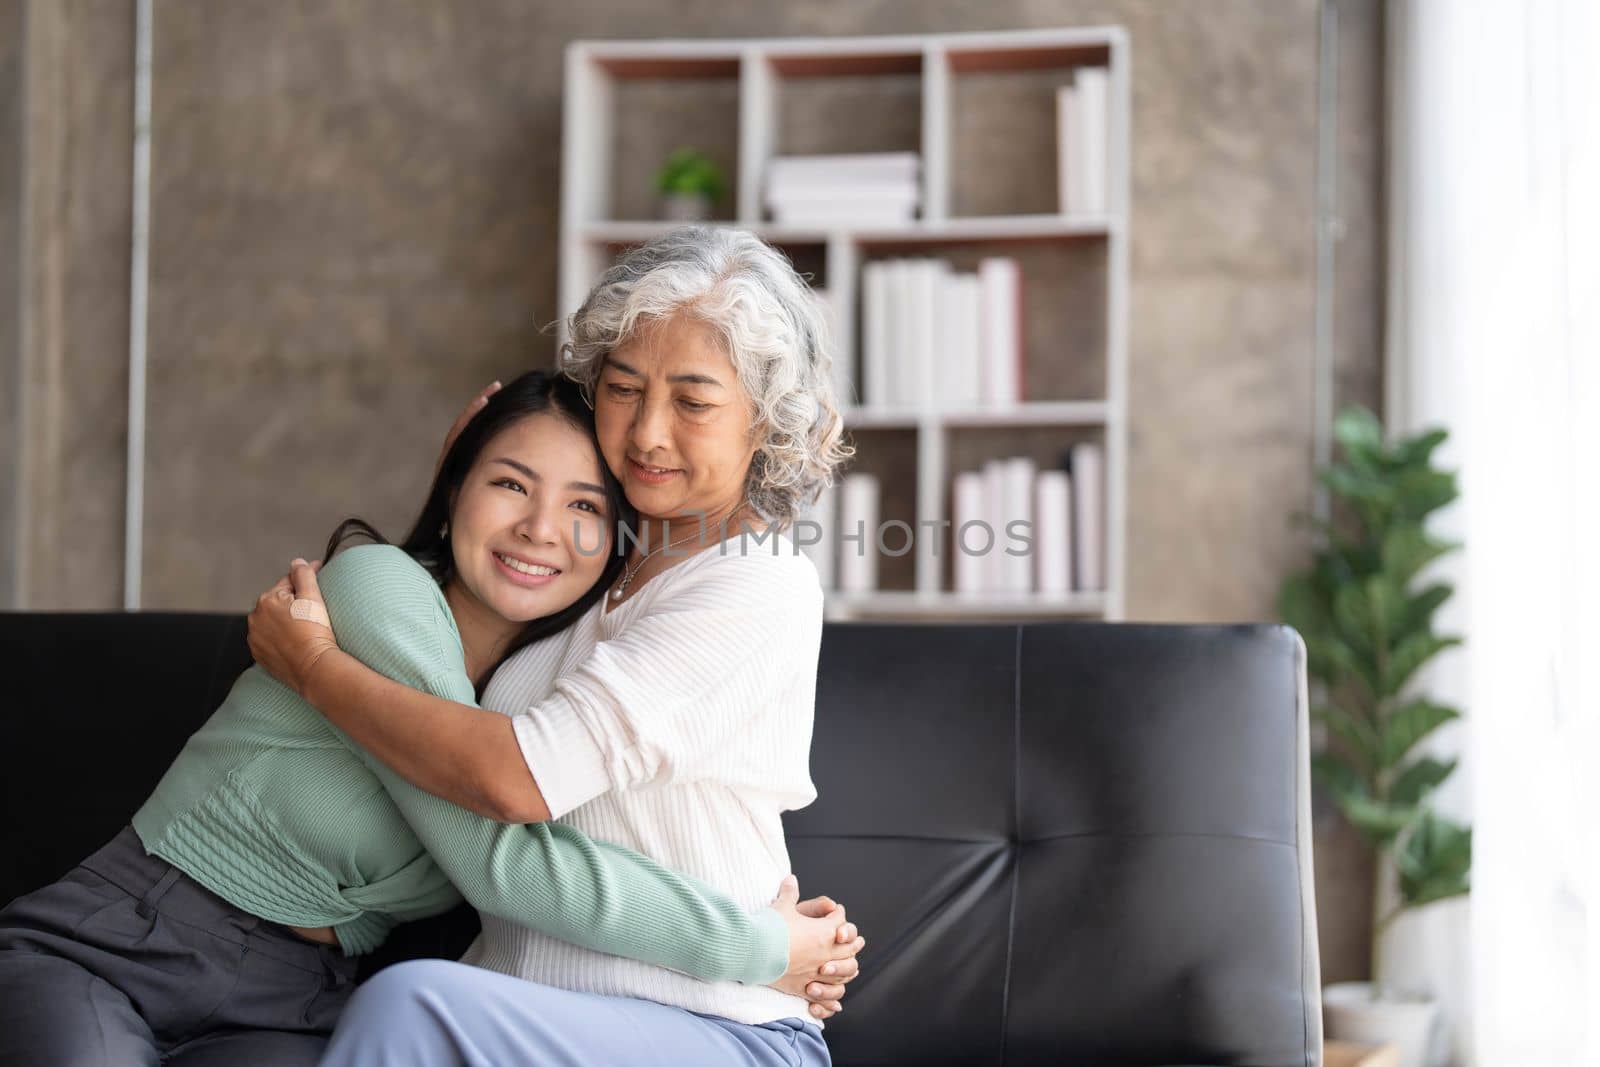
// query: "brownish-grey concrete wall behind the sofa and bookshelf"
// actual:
[[356, 225]]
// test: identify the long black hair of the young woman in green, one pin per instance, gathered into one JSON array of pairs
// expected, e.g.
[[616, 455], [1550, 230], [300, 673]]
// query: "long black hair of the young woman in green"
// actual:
[[537, 393]]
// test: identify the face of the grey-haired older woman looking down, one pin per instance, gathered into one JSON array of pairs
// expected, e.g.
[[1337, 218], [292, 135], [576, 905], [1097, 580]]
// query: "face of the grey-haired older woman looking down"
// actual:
[[674, 422]]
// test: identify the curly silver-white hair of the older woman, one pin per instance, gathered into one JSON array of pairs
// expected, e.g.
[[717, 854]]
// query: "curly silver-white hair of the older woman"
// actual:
[[772, 329]]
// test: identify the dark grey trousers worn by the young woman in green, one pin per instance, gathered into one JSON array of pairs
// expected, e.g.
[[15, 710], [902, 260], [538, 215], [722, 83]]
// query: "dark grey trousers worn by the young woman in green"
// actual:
[[127, 961]]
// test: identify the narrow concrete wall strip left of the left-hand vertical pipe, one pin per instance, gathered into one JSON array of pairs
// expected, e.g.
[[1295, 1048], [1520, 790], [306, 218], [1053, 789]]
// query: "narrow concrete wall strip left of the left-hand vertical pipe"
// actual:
[[71, 214]]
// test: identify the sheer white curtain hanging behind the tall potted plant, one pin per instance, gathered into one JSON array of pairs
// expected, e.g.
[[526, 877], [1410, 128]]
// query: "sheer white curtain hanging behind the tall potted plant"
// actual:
[[1494, 334]]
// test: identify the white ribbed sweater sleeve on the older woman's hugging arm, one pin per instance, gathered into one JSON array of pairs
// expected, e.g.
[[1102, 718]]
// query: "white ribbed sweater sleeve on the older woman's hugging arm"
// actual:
[[686, 692]]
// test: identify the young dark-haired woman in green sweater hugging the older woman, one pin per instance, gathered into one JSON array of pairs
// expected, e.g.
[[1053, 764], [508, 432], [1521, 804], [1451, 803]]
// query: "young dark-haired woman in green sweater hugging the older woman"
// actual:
[[226, 921]]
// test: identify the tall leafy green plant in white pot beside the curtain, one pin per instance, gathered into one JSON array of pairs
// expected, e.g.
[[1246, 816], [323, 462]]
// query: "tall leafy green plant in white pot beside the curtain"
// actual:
[[1369, 628]]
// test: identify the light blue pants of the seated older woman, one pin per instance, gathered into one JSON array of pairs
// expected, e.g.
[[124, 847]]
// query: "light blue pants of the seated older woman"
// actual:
[[439, 1012]]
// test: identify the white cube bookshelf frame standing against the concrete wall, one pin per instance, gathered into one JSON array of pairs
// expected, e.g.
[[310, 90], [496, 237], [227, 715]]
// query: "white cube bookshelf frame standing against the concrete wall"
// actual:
[[762, 70]]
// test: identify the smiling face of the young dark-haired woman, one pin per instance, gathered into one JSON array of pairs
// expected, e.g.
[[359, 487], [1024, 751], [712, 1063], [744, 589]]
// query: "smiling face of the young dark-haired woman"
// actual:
[[530, 527]]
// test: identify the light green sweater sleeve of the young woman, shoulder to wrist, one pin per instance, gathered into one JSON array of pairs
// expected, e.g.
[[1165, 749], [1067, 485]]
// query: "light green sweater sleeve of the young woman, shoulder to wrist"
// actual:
[[388, 613]]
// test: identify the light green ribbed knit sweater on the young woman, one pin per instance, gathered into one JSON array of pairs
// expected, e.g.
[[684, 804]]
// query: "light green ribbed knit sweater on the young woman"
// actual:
[[281, 813]]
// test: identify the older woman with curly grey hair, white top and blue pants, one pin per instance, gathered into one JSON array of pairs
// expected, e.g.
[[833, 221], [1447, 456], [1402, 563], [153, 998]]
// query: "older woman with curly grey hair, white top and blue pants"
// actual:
[[674, 717]]
